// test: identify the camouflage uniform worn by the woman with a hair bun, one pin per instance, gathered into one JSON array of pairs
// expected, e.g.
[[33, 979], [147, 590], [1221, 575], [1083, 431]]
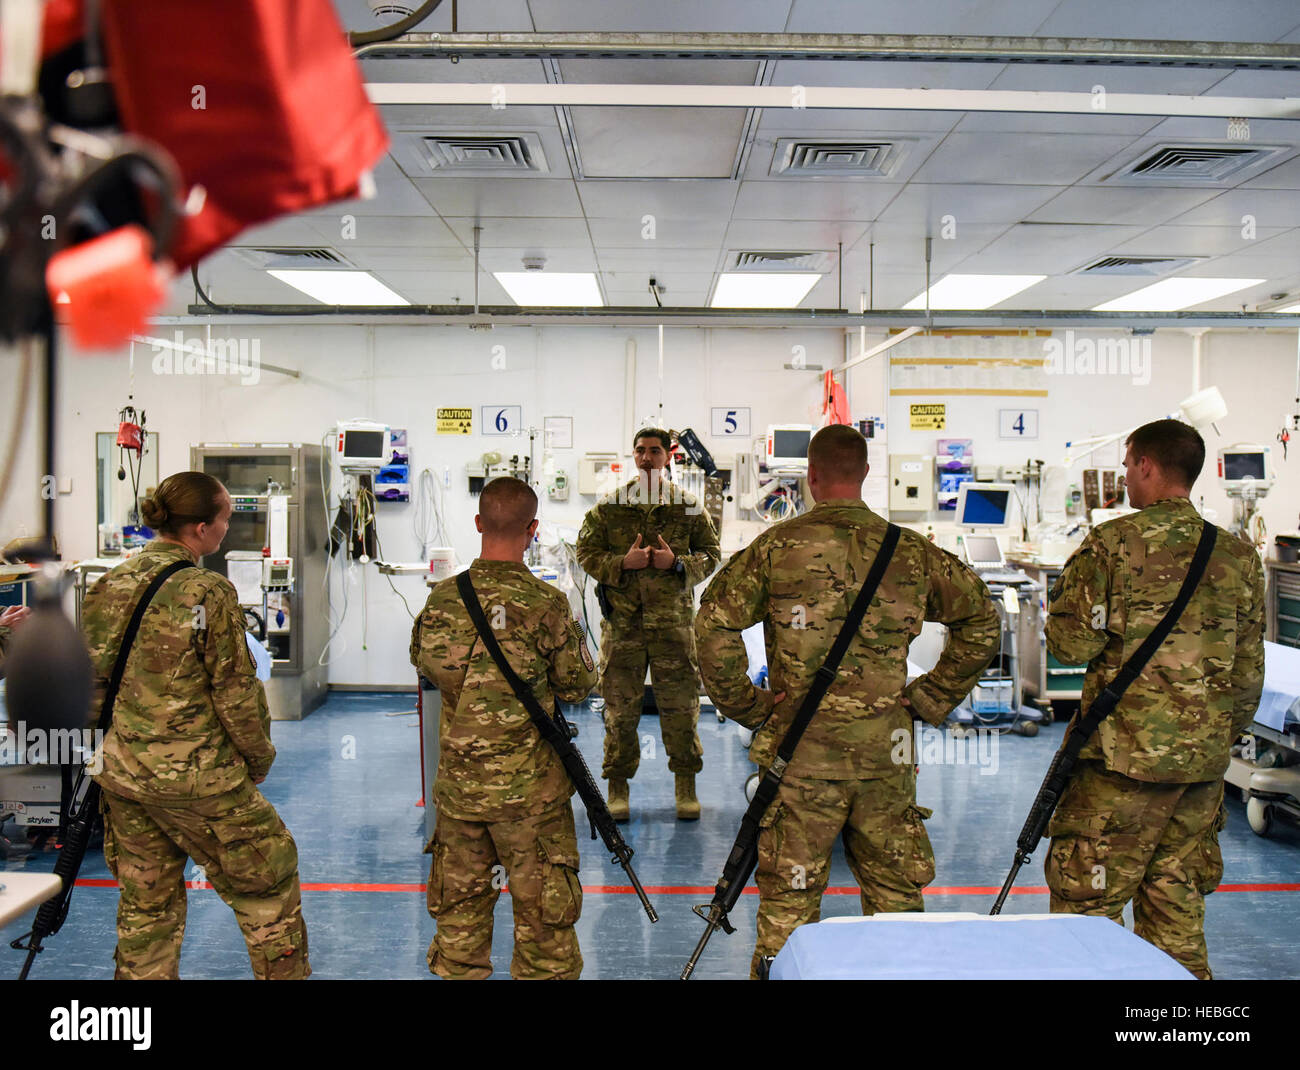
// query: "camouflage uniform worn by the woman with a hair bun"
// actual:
[[190, 733]]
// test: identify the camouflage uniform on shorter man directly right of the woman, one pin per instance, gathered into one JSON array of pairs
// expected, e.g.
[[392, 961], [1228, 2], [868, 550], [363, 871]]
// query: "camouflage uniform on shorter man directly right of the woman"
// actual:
[[501, 791]]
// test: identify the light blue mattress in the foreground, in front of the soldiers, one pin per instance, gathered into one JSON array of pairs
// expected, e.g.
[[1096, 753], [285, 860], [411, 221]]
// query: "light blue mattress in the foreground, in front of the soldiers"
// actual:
[[972, 947]]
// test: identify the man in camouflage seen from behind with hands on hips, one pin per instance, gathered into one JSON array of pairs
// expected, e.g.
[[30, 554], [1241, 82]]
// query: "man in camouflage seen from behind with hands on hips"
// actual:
[[800, 579]]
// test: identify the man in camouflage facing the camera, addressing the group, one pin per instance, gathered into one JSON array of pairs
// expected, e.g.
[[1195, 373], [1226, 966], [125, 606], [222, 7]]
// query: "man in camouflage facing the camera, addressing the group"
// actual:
[[649, 544]]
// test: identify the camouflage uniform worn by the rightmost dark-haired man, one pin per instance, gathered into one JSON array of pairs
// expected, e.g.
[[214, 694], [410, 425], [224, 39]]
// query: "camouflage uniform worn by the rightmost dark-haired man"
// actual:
[[1141, 820]]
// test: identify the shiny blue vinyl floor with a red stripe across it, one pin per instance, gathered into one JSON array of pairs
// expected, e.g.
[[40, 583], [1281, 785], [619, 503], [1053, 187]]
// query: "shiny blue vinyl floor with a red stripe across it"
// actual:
[[361, 833]]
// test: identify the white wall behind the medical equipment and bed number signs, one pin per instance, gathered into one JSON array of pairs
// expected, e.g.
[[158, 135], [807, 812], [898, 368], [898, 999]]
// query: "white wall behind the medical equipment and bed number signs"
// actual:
[[401, 375]]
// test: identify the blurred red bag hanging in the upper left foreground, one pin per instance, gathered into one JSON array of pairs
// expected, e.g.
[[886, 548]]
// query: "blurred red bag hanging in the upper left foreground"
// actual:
[[261, 102]]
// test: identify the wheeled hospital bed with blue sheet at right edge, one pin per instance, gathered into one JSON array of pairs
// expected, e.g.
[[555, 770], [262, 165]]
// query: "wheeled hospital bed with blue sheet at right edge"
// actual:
[[1267, 769]]
